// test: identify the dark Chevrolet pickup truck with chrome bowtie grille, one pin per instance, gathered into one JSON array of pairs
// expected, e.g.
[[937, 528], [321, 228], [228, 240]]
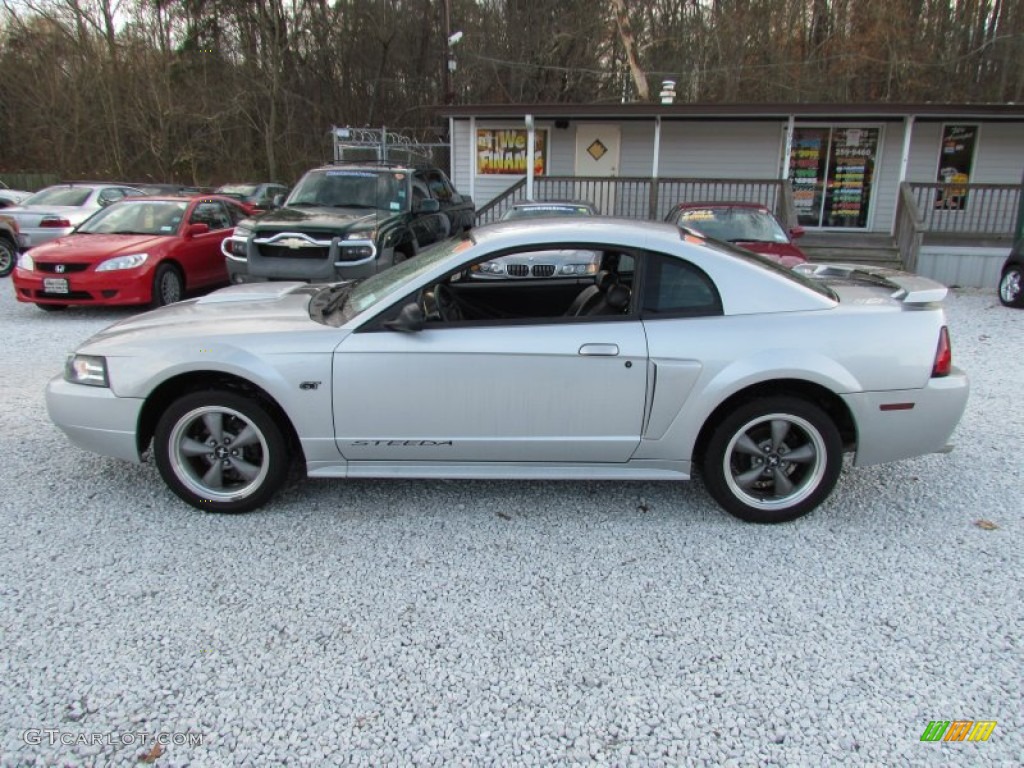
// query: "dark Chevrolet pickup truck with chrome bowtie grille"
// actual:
[[349, 221]]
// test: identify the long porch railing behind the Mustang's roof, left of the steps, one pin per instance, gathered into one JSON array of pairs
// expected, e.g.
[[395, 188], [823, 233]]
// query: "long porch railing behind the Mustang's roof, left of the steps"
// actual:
[[647, 199]]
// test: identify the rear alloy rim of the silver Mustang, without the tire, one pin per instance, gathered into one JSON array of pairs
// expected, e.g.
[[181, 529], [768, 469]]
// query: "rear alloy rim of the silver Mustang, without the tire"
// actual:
[[775, 461]]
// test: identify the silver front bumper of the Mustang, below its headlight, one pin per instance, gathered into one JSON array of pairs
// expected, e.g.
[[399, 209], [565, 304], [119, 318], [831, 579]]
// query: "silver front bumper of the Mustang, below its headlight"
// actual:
[[96, 419]]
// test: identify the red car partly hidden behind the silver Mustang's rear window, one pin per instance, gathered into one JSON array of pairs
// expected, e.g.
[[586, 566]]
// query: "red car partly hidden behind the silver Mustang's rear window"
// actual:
[[749, 226]]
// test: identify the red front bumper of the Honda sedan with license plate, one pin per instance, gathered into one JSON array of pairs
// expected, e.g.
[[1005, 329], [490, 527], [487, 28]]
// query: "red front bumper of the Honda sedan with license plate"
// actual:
[[115, 288]]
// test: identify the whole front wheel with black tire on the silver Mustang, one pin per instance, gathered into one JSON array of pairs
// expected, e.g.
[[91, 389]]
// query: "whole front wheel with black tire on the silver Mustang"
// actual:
[[248, 460]]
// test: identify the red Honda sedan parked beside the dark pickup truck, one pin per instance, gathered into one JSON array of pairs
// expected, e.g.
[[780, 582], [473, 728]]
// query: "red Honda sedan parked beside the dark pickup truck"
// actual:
[[138, 251]]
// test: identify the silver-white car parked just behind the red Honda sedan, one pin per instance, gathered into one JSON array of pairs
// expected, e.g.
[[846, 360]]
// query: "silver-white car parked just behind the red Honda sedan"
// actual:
[[56, 211]]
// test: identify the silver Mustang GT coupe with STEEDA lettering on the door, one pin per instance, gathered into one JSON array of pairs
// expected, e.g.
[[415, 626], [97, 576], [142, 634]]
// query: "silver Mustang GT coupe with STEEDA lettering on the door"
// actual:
[[680, 355]]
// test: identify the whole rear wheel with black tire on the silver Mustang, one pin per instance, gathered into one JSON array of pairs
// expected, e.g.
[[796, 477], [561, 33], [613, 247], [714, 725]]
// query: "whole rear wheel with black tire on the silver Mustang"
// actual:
[[750, 468]]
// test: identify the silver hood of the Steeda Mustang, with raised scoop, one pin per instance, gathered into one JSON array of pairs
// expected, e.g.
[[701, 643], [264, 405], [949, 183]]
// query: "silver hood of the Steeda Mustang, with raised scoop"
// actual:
[[238, 316]]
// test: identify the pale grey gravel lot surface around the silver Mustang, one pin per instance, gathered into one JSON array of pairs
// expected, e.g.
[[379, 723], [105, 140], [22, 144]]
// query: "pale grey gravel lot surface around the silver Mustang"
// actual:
[[504, 623]]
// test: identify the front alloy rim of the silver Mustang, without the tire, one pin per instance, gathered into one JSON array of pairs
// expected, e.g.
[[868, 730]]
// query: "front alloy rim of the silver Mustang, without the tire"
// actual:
[[219, 454]]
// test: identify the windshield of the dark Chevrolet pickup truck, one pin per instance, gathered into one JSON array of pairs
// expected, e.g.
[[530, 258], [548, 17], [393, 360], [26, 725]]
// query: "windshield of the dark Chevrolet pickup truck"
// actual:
[[387, 191]]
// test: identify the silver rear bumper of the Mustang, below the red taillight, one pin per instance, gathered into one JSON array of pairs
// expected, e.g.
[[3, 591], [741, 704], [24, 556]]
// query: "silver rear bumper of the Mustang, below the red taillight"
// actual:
[[902, 424]]
